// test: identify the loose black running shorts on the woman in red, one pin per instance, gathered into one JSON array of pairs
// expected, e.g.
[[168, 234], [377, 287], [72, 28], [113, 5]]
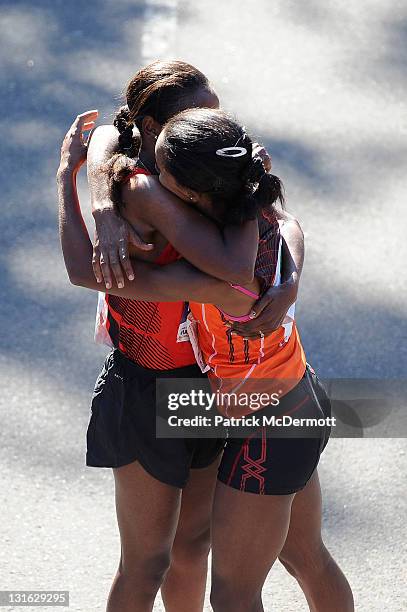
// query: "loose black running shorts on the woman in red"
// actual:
[[122, 425]]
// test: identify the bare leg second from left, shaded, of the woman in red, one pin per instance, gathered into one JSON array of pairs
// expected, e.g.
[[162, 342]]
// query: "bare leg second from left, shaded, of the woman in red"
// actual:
[[184, 586]]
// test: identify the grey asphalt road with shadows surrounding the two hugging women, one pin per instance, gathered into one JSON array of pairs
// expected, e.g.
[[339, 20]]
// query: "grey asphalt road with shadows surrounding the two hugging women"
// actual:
[[323, 85]]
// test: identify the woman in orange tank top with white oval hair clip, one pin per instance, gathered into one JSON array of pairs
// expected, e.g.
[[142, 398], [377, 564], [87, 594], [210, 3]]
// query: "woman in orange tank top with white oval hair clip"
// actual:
[[265, 478]]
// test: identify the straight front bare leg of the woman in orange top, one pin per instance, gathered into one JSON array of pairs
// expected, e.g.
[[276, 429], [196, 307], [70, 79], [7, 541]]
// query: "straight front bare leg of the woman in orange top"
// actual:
[[248, 533]]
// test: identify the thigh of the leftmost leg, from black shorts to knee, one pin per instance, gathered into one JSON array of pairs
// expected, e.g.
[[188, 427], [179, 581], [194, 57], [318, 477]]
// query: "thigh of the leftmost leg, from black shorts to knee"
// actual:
[[147, 514]]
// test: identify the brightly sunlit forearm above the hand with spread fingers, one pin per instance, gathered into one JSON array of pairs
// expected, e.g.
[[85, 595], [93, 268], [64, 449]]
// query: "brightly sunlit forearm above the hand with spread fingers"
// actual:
[[103, 145]]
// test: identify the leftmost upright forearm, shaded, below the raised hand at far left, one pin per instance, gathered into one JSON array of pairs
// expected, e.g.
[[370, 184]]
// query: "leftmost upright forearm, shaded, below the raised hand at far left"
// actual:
[[74, 237]]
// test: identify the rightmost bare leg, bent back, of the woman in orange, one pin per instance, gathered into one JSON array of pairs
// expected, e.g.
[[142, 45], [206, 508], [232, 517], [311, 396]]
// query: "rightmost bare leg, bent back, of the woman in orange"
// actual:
[[304, 555]]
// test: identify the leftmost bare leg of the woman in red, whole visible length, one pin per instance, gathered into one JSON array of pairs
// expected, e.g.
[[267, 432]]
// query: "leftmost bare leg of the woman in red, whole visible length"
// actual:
[[147, 515]]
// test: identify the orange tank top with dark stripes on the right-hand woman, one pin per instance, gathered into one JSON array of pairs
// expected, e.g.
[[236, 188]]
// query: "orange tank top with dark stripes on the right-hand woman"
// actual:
[[272, 364]]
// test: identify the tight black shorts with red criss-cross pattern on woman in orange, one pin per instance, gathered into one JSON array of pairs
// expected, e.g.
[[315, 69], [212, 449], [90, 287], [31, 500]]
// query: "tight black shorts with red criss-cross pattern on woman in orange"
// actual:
[[266, 465]]
